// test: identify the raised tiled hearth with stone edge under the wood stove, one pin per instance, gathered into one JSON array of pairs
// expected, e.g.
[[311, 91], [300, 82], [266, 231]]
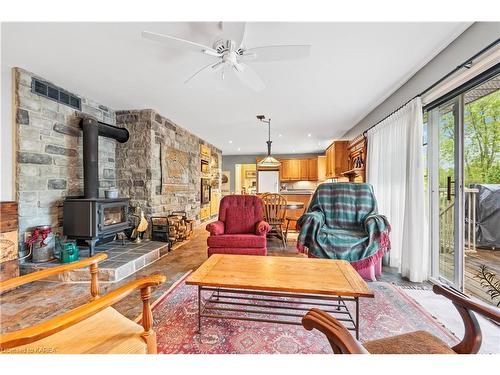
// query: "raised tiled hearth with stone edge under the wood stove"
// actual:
[[123, 260]]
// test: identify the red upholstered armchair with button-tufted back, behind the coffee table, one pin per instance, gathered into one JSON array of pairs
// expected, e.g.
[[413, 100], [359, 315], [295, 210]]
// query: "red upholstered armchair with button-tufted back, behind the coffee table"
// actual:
[[241, 228]]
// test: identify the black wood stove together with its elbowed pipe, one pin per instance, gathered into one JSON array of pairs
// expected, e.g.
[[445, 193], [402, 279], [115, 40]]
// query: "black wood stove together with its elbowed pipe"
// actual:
[[91, 218]]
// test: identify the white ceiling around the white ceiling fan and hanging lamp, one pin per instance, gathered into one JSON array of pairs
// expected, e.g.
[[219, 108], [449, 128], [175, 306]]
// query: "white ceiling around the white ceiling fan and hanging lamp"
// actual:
[[352, 68]]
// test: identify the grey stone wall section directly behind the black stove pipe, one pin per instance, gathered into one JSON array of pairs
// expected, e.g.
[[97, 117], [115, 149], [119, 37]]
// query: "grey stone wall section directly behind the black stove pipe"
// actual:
[[49, 154]]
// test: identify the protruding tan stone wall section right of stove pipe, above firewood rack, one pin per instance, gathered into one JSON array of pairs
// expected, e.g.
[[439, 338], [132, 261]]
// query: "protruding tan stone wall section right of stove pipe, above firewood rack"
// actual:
[[139, 164]]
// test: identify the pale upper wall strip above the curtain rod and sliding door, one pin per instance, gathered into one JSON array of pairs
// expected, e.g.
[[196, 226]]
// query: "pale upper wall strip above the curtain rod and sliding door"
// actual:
[[470, 42]]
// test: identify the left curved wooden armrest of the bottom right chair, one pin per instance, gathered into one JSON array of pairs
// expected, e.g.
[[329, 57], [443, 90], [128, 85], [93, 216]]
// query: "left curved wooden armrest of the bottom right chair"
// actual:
[[339, 337]]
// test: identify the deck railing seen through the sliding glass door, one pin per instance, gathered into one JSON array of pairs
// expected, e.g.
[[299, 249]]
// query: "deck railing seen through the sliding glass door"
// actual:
[[447, 216]]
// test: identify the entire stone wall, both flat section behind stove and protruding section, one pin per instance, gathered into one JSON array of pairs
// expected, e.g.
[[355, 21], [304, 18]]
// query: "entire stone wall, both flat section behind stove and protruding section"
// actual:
[[49, 158]]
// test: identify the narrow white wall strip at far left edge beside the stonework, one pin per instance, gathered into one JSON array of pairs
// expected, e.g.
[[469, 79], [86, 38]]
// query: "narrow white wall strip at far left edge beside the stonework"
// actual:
[[6, 136]]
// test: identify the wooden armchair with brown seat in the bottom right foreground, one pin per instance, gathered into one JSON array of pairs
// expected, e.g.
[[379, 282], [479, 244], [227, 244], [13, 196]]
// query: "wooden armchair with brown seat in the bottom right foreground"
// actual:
[[419, 342]]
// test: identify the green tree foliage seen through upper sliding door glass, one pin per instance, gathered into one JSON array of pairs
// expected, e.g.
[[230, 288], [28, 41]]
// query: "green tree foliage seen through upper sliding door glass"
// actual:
[[481, 141]]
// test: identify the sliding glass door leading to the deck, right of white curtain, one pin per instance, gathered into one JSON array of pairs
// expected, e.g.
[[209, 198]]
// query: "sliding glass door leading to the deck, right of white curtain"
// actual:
[[464, 172]]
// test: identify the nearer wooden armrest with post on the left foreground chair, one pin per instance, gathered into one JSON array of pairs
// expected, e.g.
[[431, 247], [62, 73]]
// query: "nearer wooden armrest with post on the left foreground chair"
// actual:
[[44, 329]]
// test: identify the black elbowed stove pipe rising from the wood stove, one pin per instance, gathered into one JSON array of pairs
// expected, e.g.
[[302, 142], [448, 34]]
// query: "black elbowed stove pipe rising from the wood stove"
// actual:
[[92, 129]]
